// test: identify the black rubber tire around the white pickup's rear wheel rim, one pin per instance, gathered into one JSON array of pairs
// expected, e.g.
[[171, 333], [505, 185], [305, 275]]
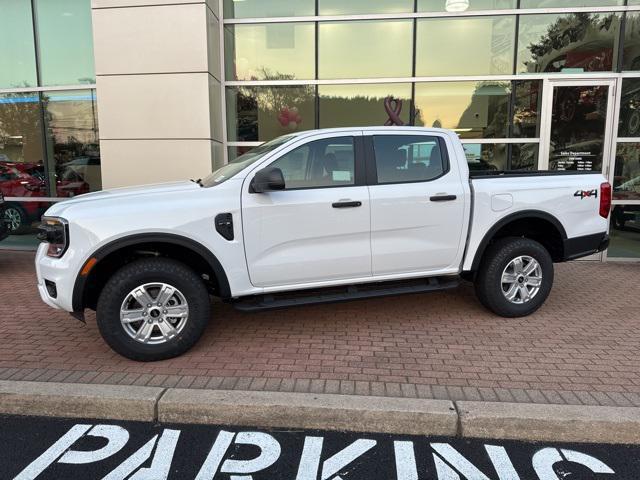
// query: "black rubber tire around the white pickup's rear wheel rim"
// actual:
[[488, 282]]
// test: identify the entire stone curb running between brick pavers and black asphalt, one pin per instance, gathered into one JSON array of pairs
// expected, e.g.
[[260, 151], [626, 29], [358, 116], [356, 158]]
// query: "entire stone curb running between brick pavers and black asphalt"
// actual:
[[487, 420]]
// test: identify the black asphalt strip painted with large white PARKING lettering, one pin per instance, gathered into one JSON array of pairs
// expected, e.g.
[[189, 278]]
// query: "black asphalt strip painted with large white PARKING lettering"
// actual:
[[54, 449]]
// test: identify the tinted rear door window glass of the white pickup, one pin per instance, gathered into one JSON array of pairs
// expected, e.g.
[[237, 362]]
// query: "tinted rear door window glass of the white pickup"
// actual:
[[408, 158]]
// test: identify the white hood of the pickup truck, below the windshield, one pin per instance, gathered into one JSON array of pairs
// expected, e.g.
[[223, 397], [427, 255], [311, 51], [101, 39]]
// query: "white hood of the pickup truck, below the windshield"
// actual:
[[138, 192]]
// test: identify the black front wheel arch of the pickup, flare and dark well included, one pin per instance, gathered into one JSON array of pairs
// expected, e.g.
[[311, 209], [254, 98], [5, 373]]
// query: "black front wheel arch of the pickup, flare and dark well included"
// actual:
[[120, 252]]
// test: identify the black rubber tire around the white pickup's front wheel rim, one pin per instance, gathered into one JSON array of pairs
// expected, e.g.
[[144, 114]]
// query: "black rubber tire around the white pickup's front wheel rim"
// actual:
[[149, 271]]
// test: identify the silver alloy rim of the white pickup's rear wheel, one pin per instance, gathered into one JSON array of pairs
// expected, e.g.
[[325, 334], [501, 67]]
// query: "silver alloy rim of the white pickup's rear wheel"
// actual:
[[521, 279]]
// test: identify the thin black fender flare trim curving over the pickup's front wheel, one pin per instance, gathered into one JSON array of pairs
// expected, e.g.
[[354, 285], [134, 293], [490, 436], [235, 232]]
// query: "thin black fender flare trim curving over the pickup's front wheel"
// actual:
[[128, 241]]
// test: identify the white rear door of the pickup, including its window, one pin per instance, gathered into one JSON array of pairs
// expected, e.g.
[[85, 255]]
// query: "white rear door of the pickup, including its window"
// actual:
[[418, 209]]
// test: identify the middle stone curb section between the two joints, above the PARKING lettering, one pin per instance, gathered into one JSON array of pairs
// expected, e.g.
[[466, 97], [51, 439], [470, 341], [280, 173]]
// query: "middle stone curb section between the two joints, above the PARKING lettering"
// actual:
[[311, 411]]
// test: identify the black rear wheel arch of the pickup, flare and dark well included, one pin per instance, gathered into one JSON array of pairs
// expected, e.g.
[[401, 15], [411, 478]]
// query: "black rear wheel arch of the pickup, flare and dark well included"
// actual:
[[534, 224]]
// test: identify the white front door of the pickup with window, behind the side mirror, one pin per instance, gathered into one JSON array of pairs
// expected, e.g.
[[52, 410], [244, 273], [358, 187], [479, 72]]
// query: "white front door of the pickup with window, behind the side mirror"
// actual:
[[318, 228]]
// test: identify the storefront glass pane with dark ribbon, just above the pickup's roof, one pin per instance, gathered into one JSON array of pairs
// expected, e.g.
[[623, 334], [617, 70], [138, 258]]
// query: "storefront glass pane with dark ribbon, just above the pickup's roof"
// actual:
[[364, 105]]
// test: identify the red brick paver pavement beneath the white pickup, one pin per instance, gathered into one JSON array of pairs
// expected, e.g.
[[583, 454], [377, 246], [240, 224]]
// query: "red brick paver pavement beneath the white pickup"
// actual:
[[582, 347]]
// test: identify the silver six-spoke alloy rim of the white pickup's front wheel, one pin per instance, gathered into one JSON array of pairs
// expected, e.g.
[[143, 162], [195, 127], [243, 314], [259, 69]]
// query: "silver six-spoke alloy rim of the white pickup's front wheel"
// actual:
[[154, 313]]
